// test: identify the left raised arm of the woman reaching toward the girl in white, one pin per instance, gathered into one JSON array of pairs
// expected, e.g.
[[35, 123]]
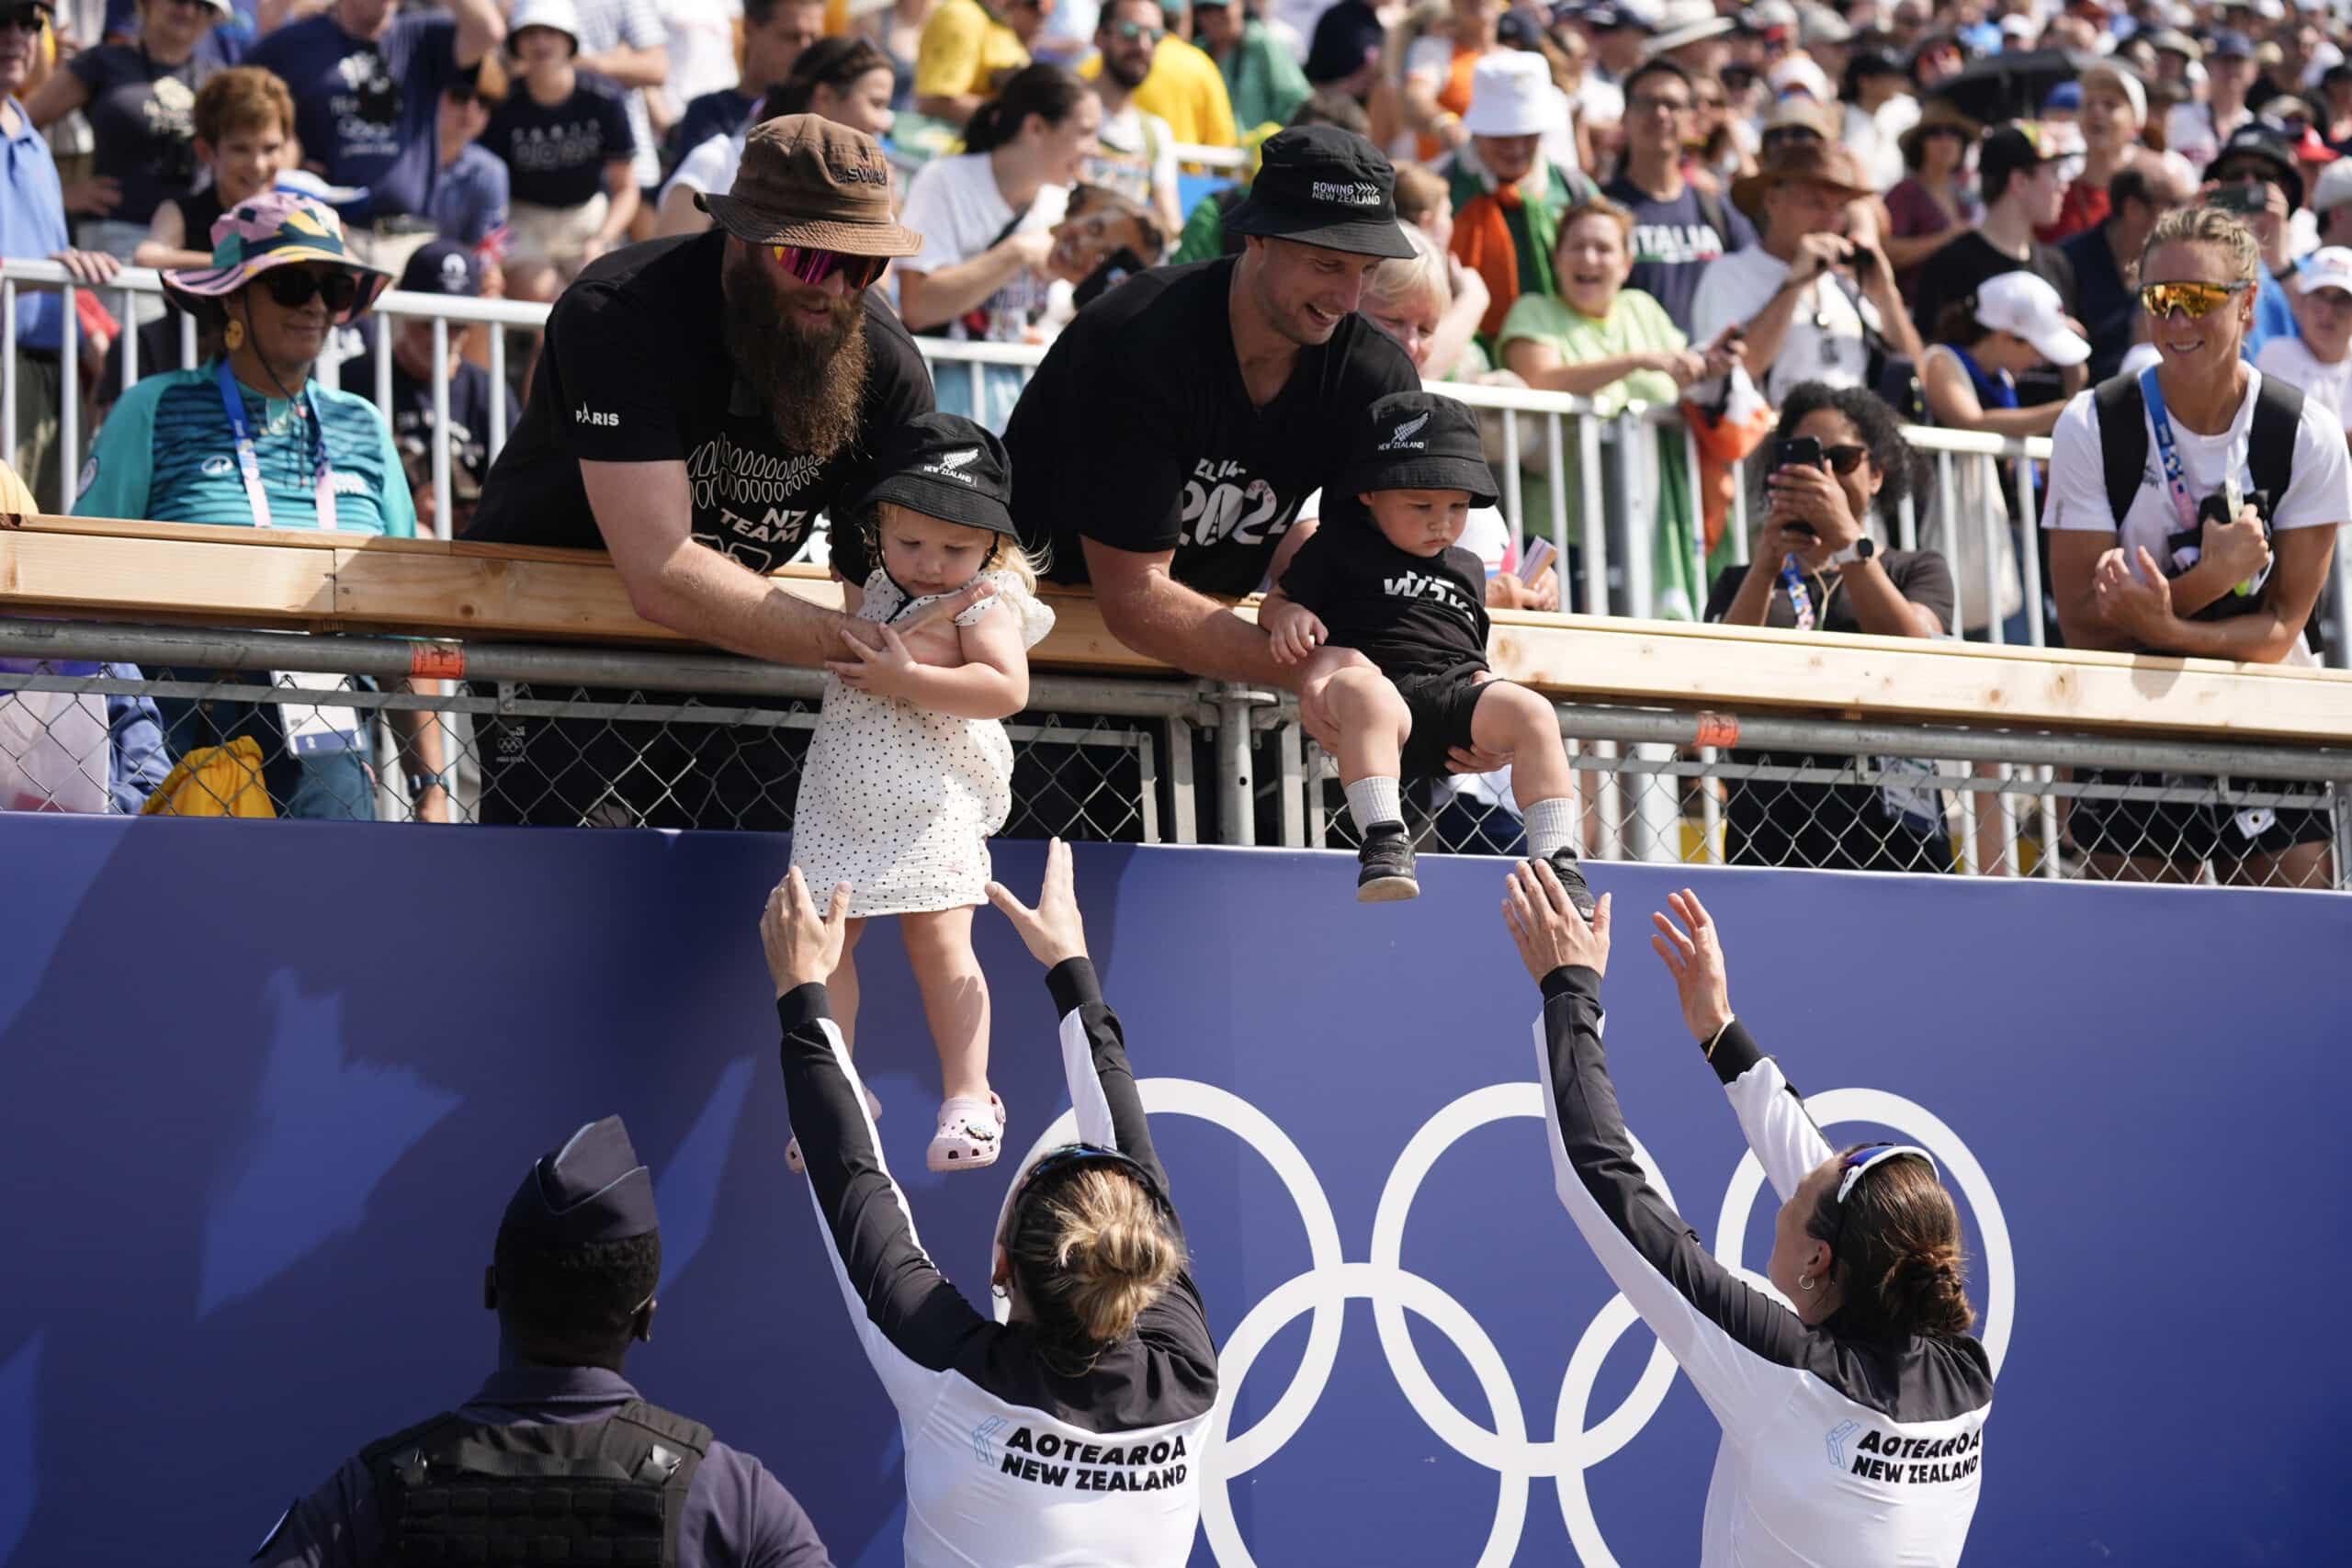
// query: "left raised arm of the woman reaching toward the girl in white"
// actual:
[[909, 1318]]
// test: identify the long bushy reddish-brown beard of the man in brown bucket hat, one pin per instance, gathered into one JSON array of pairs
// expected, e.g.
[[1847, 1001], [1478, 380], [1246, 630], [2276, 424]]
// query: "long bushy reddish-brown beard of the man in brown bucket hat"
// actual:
[[813, 377]]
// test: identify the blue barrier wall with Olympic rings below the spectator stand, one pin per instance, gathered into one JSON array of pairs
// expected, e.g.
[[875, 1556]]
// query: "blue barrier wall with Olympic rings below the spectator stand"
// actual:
[[265, 1092]]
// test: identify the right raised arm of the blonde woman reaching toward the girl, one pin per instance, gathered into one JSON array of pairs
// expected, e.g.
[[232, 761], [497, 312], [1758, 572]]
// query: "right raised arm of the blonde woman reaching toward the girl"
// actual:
[[1093, 1043]]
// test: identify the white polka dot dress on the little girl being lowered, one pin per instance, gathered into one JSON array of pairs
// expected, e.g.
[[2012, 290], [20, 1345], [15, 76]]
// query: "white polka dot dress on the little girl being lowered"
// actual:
[[900, 800]]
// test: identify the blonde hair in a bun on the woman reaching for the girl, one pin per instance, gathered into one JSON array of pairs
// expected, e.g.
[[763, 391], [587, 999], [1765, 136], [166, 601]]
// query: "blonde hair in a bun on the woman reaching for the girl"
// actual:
[[1093, 1257]]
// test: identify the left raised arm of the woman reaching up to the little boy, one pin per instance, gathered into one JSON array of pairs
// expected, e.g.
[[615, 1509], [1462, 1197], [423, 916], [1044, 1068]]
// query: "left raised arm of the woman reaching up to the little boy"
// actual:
[[1739, 1346]]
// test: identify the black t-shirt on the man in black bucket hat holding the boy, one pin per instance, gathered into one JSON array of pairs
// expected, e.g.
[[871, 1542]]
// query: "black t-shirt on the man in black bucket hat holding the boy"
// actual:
[[1140, 431]]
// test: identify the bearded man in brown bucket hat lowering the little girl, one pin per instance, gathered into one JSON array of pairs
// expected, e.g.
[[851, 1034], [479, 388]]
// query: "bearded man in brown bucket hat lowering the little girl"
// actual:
[[700, 406]]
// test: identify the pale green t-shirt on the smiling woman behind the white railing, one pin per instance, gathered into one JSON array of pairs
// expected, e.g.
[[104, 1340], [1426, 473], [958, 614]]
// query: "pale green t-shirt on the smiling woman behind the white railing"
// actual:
[[1636, 326]]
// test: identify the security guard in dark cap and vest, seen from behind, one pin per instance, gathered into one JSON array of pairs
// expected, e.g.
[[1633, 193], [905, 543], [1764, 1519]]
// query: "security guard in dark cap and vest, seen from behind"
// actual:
[[556, 1459]]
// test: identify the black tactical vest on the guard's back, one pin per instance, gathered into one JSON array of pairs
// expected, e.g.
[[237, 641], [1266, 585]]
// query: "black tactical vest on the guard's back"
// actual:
[[556, 1494]]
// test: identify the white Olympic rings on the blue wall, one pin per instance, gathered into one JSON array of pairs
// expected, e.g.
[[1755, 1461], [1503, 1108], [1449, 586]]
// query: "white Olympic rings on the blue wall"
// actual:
[[1504, 1445]]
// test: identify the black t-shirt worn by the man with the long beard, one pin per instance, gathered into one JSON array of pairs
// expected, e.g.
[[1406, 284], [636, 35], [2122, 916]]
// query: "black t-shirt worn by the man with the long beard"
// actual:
[[636, 373]]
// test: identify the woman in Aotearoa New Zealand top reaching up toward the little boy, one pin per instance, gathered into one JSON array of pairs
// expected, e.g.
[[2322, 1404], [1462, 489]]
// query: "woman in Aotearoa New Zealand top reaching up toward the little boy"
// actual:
[[1852, 1421]]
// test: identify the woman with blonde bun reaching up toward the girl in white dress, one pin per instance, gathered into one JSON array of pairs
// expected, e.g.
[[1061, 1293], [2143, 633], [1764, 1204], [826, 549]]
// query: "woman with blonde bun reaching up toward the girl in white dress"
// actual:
[[1067, 1435]]
